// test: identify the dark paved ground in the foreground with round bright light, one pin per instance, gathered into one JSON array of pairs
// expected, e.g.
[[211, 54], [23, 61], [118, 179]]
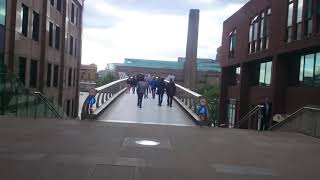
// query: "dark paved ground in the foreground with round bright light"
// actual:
[[83, 150]]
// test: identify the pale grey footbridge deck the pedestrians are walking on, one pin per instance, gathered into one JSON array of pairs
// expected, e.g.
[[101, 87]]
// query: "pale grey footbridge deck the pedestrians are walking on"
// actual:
[[125, 110]]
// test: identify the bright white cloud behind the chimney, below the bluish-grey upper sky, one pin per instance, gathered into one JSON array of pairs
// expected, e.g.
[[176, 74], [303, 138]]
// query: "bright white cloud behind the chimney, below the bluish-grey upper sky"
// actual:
[[138, 34]]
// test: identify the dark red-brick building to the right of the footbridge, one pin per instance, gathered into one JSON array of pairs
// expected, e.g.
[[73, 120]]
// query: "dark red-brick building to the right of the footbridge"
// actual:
[[270, 48]]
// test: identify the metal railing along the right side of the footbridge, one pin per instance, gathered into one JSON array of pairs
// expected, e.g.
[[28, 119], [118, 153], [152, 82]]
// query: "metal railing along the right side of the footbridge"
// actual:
[[190, 102]]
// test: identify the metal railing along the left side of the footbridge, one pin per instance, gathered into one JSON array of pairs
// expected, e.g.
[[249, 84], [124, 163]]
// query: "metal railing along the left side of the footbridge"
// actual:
[[105, 95]]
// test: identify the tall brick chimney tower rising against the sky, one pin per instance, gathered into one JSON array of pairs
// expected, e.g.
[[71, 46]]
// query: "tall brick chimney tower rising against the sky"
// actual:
[[190, 66]]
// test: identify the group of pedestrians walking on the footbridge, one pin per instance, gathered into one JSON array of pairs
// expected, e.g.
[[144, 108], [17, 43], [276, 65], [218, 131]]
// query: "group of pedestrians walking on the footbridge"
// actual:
[[144, 85]]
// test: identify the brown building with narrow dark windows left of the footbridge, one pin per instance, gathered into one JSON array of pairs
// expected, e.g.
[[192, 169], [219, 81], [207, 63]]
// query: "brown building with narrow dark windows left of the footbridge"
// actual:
[[43, 44]]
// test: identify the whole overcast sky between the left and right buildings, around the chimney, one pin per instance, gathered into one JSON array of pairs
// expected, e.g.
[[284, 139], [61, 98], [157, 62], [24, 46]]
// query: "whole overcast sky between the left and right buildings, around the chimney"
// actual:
[[150, 29]]
